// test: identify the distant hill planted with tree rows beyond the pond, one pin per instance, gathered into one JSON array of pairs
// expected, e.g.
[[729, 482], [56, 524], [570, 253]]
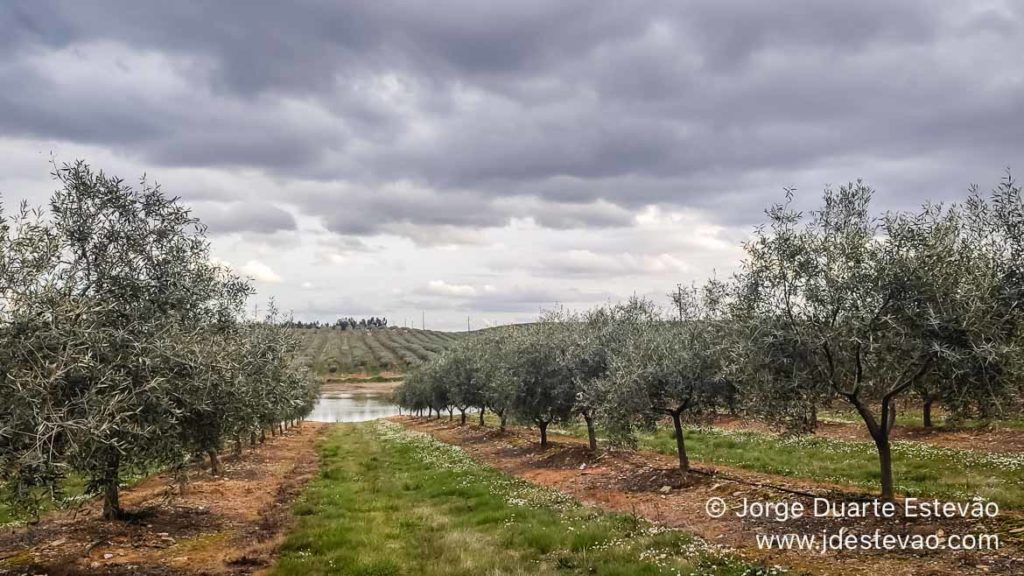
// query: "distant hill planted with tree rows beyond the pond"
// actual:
[[382, 350]]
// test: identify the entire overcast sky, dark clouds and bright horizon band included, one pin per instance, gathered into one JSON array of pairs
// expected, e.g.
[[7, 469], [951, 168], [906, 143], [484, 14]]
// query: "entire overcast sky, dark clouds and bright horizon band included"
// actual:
[[490, 159]]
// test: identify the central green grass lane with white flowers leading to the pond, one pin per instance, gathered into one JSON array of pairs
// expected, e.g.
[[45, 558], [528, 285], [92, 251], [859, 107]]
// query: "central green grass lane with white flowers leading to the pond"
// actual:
[[391, 502]]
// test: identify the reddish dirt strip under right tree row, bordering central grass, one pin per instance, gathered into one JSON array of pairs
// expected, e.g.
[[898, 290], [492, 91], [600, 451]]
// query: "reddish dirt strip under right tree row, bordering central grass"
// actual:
[[650, 485]]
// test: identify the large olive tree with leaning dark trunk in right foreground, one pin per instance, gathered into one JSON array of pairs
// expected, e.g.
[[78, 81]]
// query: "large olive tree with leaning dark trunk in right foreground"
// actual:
[[861, 308]]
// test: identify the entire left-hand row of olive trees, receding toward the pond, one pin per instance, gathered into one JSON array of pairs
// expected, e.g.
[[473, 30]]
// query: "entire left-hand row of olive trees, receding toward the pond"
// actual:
[[122, 346]]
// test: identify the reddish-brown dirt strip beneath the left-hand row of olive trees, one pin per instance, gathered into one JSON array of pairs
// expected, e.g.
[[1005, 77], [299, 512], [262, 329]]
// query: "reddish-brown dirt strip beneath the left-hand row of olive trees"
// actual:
[[230, 524]]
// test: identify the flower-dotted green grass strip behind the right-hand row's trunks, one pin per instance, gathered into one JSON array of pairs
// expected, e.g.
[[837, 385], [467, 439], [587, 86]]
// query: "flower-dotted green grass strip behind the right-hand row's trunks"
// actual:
[[919, 469]]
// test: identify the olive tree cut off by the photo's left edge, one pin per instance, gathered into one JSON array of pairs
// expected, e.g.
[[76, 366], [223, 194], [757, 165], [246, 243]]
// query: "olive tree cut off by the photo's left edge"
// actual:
[[36, 349]]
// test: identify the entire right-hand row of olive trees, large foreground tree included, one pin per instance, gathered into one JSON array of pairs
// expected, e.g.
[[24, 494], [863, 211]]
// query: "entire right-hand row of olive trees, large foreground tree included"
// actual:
[[839, 305]]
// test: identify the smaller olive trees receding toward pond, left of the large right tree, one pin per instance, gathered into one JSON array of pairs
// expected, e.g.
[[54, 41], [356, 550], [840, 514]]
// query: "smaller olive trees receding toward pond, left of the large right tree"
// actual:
[[622, 366]]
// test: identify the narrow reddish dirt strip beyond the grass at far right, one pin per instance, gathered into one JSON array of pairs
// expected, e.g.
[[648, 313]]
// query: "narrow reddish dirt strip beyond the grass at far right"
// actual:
[[989, 440]]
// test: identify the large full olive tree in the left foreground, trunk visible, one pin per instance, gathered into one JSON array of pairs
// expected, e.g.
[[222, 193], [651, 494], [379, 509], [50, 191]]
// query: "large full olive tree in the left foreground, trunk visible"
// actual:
[[132, 281]]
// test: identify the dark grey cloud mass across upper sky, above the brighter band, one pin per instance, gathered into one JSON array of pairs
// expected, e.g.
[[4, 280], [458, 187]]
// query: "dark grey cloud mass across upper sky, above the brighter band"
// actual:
[[463, 115]]
